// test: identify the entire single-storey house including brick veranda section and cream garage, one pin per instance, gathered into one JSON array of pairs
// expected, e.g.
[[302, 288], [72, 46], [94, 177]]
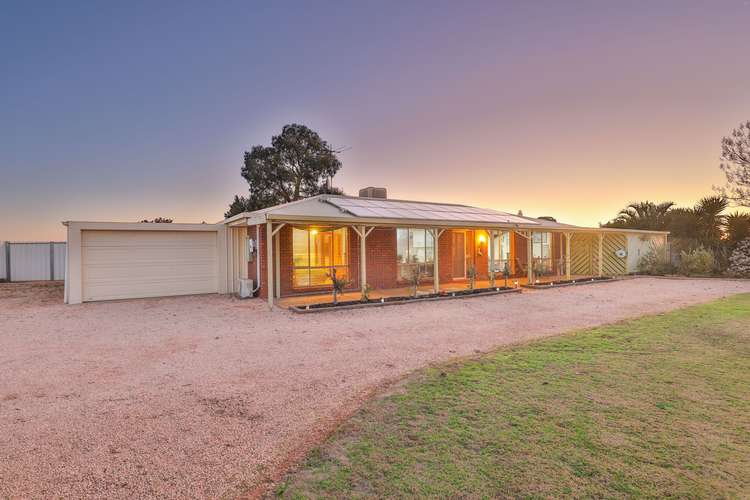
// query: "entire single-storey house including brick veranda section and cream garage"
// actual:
[[294, 248]]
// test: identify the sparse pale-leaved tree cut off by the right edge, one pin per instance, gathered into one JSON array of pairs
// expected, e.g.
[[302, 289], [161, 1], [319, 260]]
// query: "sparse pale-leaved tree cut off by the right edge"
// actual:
[[735, 156]]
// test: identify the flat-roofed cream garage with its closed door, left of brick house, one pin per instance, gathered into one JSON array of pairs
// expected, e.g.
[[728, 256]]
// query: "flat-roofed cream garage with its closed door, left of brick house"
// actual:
[[122, 261]]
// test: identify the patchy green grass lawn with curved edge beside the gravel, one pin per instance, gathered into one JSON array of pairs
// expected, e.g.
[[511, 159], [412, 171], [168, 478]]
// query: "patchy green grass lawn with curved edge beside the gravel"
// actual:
[[655, 407]]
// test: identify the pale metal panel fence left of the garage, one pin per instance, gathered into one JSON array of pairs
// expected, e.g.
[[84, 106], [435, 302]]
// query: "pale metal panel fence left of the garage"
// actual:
[[32, 261]]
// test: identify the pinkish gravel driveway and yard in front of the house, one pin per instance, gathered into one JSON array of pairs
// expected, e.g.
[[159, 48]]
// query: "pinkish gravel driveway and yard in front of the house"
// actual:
[[207, 396]]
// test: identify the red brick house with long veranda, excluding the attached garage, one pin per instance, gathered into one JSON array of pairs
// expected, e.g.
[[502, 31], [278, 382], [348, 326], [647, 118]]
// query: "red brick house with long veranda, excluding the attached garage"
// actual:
[[293, 249]]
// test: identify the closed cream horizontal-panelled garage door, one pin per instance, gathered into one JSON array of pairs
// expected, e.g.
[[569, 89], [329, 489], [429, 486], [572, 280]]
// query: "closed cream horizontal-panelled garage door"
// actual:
[[129, 264]]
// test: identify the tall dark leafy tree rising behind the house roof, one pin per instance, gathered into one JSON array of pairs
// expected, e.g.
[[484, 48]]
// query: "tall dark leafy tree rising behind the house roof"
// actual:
[[298, 164]]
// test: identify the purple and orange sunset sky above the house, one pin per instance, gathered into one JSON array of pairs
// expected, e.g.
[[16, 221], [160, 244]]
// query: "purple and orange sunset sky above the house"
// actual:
[[119, 111]]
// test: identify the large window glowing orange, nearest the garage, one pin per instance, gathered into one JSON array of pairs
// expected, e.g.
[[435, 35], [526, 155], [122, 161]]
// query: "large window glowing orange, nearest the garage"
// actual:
[[316, 252]]
